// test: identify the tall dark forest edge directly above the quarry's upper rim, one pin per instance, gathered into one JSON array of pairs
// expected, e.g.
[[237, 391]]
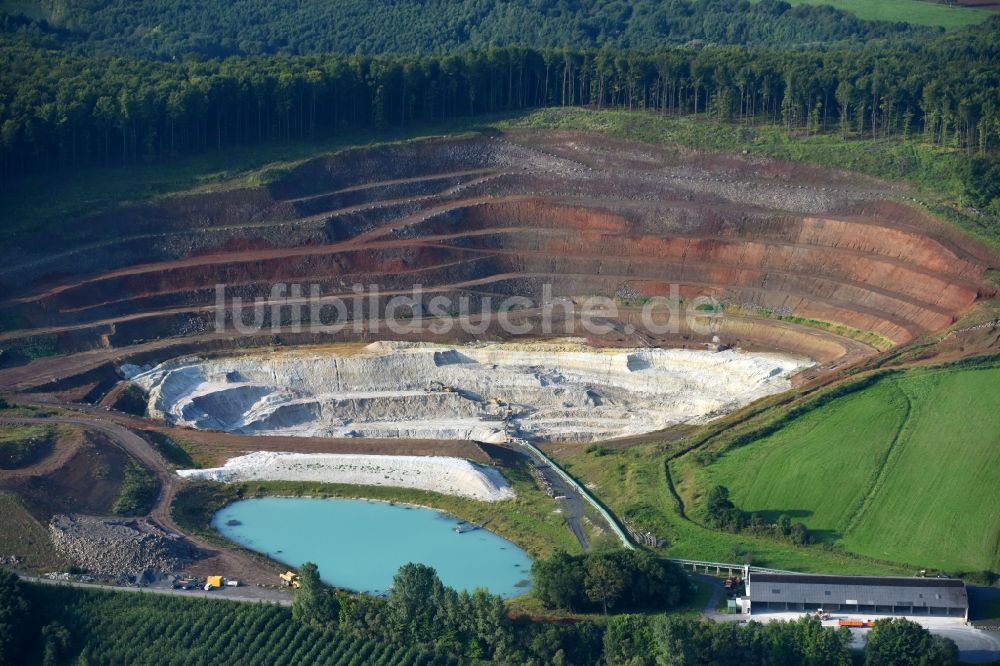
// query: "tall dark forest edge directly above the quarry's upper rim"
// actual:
[[59, 110]]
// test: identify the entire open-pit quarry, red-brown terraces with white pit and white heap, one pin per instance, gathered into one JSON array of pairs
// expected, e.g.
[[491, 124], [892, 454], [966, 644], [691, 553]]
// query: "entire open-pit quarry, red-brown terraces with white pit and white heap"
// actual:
[[221, 305]]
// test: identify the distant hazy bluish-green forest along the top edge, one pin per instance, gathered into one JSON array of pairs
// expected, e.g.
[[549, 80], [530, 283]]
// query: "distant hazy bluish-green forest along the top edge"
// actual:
[[255, 27]]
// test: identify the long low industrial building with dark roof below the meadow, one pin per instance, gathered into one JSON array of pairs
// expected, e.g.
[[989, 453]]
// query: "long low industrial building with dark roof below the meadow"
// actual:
[[860, 595]]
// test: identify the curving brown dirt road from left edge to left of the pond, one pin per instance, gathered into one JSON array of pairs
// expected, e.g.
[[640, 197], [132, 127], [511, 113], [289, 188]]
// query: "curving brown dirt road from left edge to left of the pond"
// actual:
[[232, 563]]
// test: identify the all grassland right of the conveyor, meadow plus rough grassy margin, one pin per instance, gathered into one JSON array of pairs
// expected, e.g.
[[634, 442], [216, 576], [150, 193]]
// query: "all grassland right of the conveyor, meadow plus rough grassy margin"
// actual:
[[866, 471]]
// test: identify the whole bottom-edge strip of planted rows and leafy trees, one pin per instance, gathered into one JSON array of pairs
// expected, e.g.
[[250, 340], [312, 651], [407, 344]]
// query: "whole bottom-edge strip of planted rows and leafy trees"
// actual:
[[421, 622]]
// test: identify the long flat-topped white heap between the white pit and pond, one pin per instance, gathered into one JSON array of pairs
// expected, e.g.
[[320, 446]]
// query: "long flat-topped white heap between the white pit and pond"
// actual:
[[451, 476]]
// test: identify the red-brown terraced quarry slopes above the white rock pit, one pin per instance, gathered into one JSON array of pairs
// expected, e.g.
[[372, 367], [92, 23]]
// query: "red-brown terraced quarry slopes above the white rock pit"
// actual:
[[489, 218]]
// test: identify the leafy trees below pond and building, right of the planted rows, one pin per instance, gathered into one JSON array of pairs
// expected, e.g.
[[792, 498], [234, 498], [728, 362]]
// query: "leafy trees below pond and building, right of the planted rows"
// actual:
[[420, 610]]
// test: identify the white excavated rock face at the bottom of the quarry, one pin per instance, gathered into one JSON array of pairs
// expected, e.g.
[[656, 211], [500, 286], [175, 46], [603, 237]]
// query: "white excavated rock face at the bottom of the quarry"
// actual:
[[541, 391]]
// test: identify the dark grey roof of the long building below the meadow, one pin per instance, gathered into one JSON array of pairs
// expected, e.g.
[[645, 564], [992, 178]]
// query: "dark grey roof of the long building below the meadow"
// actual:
[[863, 590]]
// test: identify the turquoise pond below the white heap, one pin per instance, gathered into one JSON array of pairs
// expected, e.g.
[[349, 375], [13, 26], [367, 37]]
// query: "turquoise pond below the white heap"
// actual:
[[359, 544]]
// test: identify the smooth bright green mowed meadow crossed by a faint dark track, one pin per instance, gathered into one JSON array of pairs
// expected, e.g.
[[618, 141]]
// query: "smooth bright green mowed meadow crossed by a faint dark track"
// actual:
[[902, 471]]
